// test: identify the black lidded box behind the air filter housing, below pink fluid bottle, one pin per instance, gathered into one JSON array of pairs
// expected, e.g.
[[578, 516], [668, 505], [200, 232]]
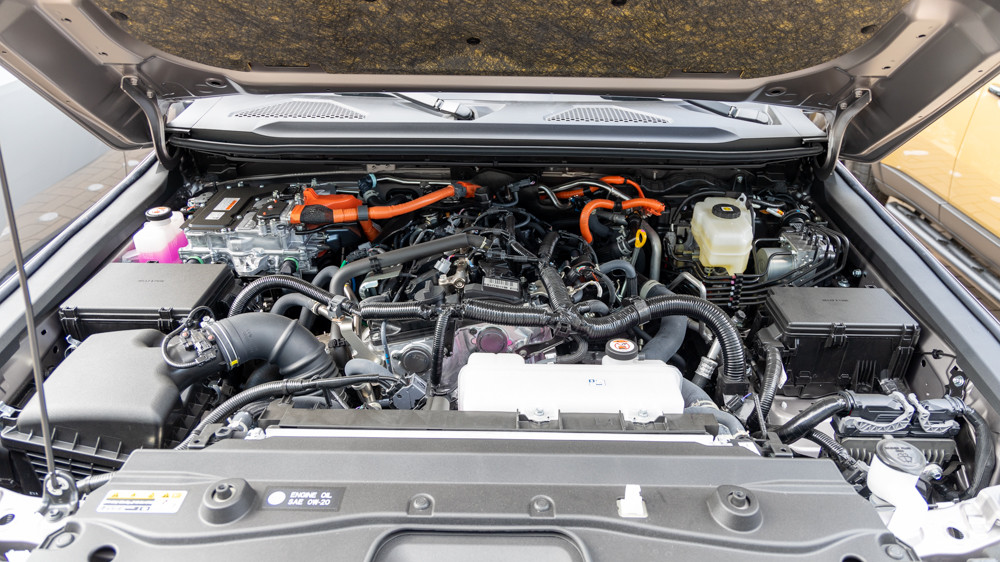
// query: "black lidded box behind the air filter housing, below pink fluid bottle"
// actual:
[[127, 296]]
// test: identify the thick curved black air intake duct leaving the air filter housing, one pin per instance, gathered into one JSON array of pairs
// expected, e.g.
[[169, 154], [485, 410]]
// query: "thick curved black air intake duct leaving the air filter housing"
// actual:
[[276, 339]]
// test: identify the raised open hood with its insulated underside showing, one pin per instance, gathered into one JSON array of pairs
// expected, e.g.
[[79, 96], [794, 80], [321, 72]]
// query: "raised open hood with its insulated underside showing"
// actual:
[[885, 66]]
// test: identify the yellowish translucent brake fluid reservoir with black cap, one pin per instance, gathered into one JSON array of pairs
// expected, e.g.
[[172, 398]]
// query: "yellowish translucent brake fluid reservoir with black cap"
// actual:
[[723, 229]]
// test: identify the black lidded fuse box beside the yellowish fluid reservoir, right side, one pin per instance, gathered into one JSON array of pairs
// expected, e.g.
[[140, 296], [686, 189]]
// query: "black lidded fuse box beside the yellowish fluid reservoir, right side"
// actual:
[[833, 338]]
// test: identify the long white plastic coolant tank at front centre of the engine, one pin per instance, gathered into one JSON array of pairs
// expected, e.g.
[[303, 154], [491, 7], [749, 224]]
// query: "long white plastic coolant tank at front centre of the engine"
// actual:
[[641, 390]]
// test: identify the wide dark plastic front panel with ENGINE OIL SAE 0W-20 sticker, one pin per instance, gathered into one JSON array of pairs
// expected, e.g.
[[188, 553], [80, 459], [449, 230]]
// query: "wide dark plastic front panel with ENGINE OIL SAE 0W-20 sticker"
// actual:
[[433, 495]]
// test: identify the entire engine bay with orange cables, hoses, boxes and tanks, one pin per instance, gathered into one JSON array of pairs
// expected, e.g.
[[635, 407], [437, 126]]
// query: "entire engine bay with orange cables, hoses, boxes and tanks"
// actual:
[[713, 306]]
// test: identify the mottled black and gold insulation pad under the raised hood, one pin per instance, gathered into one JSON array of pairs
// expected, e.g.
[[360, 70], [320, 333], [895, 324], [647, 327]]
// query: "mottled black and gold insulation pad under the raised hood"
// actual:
[[576, 38]]
